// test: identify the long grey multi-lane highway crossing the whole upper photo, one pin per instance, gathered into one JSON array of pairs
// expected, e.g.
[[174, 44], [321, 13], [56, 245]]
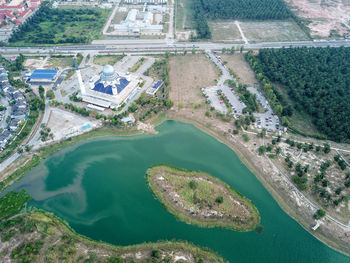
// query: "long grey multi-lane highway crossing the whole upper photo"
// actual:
[[119, 46]]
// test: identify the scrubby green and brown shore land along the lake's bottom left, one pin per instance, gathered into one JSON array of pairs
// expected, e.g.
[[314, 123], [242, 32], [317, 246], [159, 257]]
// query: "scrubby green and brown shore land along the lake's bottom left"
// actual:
[[39, 236]]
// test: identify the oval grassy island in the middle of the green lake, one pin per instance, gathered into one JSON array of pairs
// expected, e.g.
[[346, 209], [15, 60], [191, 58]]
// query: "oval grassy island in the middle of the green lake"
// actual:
[[200, 199]]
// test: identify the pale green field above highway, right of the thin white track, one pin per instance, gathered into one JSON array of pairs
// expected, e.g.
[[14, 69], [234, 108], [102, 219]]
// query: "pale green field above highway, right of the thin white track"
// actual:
[[272, 31]]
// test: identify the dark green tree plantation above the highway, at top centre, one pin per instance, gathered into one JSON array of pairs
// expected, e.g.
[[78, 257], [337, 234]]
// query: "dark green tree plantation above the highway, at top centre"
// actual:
[[236, 9]]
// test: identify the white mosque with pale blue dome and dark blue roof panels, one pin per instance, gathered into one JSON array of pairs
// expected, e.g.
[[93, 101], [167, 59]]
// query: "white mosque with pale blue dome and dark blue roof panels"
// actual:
[[110, 89]]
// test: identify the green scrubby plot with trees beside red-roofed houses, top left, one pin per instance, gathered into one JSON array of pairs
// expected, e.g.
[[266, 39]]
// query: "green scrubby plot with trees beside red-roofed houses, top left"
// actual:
[[57, 26]]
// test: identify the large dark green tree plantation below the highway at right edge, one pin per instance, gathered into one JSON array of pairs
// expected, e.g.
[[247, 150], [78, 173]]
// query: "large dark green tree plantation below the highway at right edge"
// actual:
[[317, 79]]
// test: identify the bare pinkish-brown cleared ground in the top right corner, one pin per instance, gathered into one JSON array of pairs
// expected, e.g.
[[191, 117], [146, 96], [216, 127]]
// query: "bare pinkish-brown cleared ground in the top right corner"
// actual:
[[324, 17]]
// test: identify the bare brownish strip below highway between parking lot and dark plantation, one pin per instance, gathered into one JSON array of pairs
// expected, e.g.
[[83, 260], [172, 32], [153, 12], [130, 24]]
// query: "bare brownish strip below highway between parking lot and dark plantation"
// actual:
[[241, 68]]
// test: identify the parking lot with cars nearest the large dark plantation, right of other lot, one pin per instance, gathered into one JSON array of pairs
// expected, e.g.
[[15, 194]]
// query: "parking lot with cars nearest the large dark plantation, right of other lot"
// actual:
[[267, 120]]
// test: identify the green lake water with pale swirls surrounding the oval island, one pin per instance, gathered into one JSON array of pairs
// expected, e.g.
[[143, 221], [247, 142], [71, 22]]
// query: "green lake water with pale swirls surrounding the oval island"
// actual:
[[99, 188]]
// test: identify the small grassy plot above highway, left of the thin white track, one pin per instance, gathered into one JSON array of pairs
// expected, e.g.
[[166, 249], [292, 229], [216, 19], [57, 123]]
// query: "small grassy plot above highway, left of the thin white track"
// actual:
[[225, 31]]
